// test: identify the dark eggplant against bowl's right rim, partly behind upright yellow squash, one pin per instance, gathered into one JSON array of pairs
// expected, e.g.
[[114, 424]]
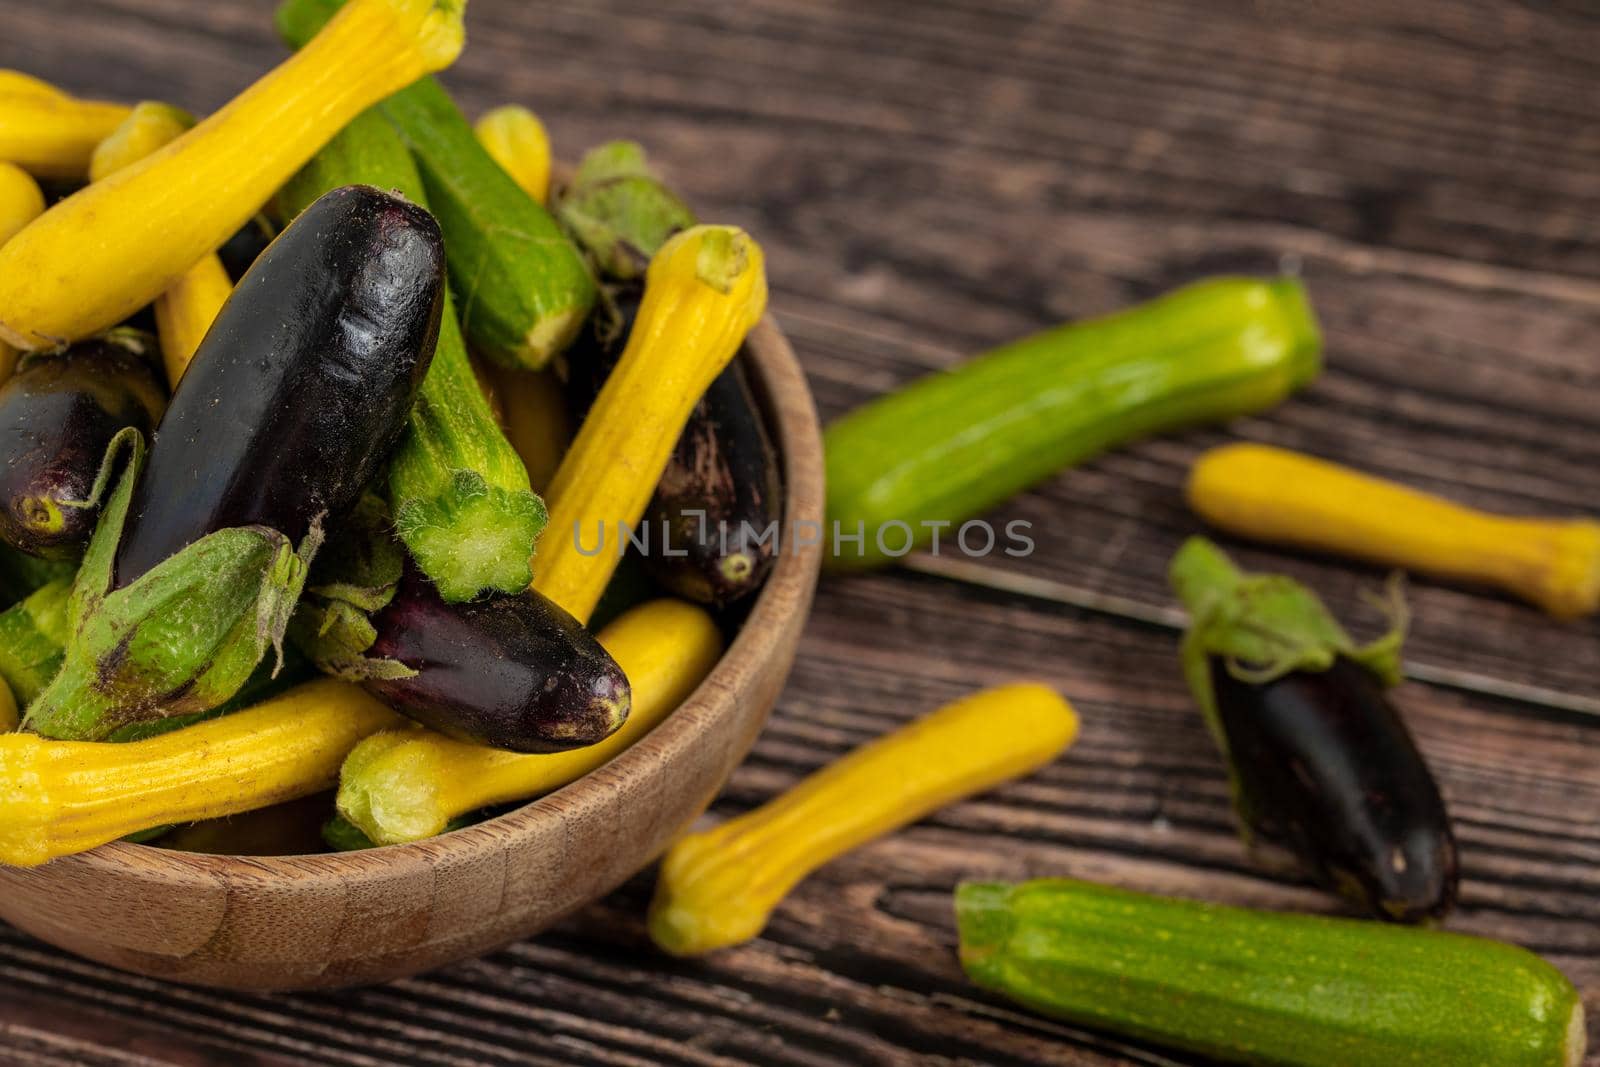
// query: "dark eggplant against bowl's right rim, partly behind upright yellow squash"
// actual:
[[721, 497]]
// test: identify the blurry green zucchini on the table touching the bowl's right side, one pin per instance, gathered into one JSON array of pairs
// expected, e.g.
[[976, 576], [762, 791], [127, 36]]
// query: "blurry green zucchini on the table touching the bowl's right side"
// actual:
[[953, 446]]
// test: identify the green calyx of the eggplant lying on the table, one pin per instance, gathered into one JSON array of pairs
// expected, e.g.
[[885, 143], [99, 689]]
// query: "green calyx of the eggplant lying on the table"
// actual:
[[1266, 626]]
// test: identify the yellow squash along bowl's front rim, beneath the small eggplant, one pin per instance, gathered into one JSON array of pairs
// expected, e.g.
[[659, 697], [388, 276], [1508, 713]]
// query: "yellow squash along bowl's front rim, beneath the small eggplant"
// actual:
[[409, 785]]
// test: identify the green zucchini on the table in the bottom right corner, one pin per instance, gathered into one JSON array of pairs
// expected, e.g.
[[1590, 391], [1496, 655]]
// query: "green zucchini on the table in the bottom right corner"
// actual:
[[1266, 988]]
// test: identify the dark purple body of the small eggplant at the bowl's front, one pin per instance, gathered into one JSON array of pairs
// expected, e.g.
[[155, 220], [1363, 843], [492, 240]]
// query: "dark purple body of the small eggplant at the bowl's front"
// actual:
[[510, 673]]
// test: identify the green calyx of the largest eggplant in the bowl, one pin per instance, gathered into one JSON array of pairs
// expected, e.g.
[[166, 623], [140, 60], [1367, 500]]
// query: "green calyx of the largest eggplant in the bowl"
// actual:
[[182, 639]]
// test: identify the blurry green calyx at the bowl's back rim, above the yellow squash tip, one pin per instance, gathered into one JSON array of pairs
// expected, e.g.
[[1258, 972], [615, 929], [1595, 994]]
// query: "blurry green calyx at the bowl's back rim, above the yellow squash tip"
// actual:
[[620, 212]]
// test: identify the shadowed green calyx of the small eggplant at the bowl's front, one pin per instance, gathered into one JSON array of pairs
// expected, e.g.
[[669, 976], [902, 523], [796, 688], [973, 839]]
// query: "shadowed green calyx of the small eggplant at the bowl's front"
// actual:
[[354, 580]]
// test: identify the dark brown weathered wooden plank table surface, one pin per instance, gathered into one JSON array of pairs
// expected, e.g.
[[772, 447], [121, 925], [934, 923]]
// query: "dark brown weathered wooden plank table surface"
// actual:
[[930, 178]]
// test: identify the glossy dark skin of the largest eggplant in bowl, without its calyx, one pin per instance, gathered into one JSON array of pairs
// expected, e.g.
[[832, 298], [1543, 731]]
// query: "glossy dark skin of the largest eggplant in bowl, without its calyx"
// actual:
[[303, 385]]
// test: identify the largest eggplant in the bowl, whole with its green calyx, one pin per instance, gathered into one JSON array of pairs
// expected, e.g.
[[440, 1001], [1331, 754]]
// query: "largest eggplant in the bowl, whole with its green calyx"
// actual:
[[289, 410]]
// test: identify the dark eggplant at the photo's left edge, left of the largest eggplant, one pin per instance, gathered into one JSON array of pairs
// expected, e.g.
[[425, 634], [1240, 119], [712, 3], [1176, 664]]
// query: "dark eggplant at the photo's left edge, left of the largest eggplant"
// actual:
[[58, 414]]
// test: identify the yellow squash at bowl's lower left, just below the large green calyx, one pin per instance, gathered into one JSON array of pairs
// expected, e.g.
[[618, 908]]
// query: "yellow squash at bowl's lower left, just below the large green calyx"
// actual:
[[65, 797]]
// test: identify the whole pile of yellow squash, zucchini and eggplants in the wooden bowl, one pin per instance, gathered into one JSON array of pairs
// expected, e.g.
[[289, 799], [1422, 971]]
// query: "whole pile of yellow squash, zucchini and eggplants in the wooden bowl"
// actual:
[[282, 386]]
